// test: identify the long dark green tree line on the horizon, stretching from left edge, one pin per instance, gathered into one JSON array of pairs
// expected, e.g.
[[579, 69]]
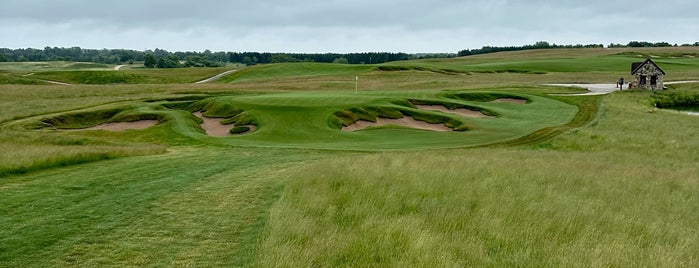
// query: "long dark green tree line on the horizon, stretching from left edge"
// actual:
[[160, 58]]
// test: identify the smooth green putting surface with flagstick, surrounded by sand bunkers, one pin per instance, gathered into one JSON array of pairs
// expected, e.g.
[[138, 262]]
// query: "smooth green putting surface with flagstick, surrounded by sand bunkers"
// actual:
[[307, 119]]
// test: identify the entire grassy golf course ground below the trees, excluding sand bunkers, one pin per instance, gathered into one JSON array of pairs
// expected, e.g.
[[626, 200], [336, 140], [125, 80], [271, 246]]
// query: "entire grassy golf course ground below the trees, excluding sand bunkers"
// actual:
[[580, 181]]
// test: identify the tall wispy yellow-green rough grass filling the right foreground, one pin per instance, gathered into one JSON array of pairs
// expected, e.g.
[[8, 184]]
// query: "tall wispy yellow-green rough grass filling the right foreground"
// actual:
[[620, 192]]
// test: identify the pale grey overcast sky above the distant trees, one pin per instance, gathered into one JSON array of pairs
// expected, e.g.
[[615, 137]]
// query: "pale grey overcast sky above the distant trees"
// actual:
[[341, 26]]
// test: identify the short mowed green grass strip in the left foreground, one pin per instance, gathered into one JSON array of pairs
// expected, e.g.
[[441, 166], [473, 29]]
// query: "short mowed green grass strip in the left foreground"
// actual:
[[205, 207]]
